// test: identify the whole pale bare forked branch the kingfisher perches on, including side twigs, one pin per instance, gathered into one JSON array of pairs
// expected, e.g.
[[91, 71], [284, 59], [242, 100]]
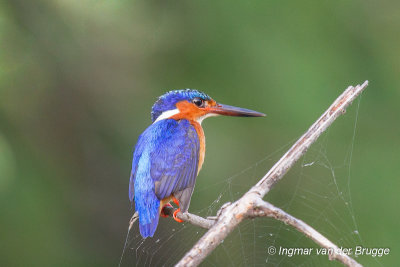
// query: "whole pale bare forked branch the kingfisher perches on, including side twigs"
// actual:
[[251, 203]]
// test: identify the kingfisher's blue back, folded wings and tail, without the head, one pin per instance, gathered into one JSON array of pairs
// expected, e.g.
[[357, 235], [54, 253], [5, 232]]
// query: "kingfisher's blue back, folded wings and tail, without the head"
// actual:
[[164, 163]]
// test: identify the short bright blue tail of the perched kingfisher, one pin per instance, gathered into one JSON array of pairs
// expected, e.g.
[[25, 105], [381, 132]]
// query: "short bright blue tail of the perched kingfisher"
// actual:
[[148, 208]]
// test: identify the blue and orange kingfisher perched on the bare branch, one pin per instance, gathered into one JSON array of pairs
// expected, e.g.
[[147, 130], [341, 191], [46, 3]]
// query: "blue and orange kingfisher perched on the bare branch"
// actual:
[[170, 153]]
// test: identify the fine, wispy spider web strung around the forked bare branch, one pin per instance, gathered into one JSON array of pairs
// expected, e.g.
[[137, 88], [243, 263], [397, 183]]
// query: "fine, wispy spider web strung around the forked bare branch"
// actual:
[[316, 190]]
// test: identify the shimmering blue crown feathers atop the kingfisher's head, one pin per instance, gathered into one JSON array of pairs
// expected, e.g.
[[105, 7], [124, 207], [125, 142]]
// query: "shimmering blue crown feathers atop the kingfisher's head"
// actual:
[[168, 100]]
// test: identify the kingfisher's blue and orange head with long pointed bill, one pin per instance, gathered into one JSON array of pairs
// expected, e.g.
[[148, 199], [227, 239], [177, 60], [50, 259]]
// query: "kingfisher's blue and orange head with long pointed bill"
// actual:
[[194, 105]]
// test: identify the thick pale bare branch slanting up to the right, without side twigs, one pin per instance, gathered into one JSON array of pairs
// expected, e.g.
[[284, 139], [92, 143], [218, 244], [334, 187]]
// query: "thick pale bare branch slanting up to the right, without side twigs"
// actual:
[[233, 214]]
